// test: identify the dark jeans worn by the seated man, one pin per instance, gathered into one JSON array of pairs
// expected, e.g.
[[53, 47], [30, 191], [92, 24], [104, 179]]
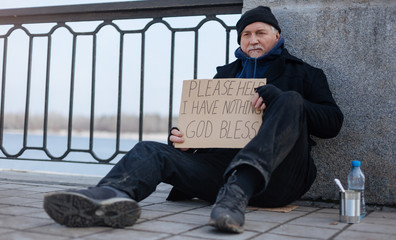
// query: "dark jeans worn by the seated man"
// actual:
[[280, 152]]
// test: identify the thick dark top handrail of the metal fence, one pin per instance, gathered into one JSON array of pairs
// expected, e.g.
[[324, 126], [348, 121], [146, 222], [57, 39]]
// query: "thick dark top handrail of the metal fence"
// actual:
[[119, 10]]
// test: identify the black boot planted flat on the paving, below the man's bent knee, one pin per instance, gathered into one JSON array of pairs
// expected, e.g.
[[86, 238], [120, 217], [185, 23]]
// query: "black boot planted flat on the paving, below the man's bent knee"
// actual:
[[228, 213]]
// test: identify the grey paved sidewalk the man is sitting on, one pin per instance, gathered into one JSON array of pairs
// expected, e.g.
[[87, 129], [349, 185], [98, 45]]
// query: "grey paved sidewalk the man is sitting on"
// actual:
[[22, 217]]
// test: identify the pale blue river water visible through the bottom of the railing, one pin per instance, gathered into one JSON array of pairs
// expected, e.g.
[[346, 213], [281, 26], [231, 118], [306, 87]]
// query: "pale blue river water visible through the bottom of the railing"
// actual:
[[103, 147]]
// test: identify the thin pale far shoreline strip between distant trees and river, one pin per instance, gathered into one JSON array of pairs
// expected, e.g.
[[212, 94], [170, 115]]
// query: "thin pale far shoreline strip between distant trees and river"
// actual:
[[97, 134]]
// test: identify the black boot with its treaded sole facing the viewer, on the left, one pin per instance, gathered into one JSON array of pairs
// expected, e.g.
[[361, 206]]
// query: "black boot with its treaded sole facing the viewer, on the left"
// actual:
[[98, 206]]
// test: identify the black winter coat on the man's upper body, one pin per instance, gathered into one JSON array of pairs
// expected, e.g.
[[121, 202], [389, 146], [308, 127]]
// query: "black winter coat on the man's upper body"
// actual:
[[289, 73]]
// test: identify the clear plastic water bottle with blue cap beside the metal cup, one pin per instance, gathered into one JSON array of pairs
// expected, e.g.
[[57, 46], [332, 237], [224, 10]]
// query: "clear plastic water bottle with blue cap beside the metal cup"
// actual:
[[356, 182]]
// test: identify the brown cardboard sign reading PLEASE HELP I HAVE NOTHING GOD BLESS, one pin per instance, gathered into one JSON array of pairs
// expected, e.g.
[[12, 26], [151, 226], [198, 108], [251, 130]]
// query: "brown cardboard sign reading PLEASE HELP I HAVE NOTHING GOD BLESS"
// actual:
[[218, 113]]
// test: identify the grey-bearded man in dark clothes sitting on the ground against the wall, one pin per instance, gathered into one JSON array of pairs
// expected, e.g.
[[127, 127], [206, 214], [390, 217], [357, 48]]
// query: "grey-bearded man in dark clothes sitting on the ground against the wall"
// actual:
[[274, 169]]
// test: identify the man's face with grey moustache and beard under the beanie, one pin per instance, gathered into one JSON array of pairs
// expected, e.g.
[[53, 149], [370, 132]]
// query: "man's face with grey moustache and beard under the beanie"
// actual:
[[257, 39]]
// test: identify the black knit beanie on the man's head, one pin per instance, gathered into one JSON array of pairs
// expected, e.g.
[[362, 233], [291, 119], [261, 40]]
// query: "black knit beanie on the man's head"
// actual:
[[258, 14]]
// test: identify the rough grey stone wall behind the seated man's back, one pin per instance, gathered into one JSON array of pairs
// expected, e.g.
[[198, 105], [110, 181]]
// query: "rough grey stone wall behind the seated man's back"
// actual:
[[354, 43]]
